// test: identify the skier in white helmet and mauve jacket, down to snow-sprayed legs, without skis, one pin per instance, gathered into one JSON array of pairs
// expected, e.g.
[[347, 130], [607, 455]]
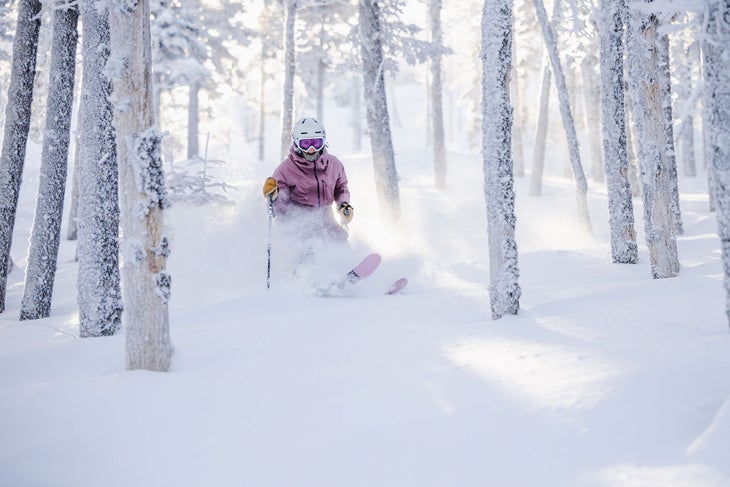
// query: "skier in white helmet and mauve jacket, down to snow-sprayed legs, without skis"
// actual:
[[308, 182]]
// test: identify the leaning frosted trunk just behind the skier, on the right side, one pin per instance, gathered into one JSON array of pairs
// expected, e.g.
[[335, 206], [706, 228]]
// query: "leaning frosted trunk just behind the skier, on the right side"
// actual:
[[381, 141]]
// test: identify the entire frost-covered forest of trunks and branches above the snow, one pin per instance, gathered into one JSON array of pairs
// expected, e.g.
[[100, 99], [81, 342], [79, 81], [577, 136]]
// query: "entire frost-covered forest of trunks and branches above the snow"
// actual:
[[99, 82]]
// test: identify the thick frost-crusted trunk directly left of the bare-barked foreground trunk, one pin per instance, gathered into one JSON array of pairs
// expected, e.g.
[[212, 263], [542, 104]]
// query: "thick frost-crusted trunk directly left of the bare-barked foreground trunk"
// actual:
[[100, 301]]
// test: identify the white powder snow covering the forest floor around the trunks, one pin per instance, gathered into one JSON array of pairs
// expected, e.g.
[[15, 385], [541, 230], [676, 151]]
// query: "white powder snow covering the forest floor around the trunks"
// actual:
[[606, 377]]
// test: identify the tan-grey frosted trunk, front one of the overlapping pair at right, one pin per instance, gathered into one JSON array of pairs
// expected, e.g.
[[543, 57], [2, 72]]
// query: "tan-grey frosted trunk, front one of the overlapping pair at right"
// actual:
[[644, 83]]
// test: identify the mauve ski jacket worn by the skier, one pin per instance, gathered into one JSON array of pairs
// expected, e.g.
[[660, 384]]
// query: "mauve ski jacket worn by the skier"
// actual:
[[307, 184]]
